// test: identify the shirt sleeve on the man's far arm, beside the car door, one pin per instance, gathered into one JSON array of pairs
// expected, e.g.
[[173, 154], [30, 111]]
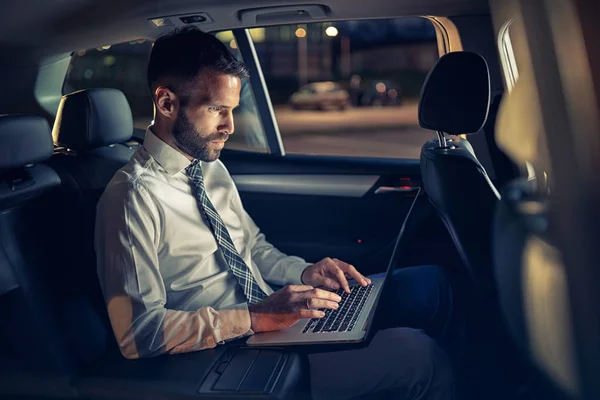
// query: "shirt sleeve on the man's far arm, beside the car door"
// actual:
[[275, 266]]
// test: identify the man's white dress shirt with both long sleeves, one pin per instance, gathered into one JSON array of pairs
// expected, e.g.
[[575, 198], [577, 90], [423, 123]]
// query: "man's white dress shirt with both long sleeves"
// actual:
[[167, 287]]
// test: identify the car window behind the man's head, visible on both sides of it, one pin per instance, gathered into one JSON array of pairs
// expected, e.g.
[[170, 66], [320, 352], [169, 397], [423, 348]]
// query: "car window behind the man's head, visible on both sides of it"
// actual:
[[123, 66]]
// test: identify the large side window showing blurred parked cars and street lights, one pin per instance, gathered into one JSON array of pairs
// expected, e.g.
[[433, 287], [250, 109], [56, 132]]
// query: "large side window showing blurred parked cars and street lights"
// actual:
[[349, 88]]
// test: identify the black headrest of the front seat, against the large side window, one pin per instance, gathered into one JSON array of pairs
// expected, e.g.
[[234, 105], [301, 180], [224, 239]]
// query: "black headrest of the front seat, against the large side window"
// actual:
[[455, 98]]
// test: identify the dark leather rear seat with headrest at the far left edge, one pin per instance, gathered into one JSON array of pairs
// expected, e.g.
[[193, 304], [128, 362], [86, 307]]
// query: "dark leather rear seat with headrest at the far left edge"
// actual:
[[55, 338]]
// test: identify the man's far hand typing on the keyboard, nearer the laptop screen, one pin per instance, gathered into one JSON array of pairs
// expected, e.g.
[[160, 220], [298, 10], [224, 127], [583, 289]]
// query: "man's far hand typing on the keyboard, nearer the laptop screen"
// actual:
[[332, 274]]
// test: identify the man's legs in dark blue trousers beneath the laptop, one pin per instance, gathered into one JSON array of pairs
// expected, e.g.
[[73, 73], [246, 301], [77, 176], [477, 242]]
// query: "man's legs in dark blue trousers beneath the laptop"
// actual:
[[402, 363]]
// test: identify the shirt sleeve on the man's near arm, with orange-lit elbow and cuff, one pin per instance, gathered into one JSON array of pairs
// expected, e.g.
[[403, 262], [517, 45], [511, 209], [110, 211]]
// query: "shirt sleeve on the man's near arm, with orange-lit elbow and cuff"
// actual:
[[126, 239]]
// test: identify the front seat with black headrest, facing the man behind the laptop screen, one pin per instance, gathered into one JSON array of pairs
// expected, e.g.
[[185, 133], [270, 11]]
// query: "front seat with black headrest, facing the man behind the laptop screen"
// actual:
[[455, 100]]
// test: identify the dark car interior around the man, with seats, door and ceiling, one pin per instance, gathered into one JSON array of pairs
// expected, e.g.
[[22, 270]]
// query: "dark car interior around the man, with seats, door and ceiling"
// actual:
[[509, 208]]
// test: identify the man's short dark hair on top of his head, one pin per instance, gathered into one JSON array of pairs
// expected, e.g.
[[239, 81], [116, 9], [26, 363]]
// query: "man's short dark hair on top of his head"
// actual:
[[181, 54]]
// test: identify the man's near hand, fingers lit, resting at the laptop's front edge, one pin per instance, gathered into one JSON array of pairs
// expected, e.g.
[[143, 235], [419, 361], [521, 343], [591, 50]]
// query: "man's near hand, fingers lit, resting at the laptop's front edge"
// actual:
[[285, 307]]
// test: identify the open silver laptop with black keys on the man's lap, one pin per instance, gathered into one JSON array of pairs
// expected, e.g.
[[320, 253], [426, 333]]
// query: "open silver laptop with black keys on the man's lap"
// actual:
[[350, 323]]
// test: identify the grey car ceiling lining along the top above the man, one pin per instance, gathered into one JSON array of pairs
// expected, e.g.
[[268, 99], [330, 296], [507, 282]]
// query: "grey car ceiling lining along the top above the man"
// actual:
[[47, 27]]
